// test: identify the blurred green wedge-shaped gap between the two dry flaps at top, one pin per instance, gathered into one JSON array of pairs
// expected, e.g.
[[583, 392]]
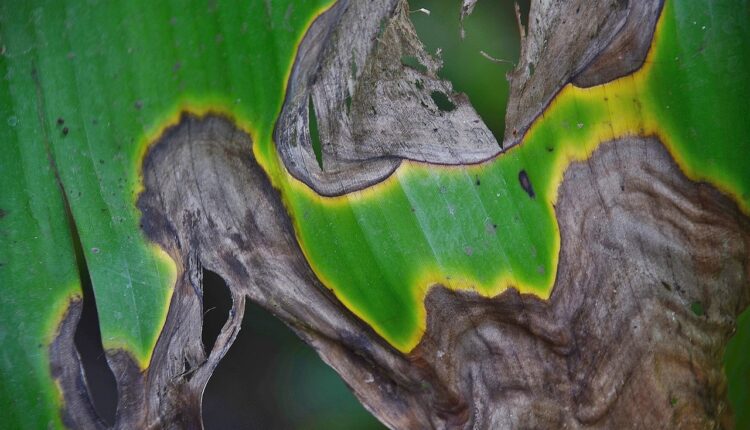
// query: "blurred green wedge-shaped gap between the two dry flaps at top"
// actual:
[[491, 29]]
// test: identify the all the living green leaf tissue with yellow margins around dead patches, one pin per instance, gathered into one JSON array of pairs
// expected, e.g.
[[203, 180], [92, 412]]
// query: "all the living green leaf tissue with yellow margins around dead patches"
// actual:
[[88, 85]]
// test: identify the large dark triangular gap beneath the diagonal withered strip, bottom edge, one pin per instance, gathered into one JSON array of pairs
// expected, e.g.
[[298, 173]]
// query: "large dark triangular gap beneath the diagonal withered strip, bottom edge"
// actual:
[[270, 379]]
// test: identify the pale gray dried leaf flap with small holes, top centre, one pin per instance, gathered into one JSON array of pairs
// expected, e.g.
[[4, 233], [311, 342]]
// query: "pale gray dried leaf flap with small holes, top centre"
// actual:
[[373, 88]]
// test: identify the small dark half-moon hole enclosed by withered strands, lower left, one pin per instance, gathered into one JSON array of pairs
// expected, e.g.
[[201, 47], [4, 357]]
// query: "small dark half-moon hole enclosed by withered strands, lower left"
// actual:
[[217, 303]]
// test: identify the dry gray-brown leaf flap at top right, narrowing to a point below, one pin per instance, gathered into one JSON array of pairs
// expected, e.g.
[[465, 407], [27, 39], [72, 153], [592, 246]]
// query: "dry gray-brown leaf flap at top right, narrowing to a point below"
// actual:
[[586, 42]]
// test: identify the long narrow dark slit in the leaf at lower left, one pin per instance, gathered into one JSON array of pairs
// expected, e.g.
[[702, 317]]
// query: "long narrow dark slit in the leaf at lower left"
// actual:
[[100, 380]]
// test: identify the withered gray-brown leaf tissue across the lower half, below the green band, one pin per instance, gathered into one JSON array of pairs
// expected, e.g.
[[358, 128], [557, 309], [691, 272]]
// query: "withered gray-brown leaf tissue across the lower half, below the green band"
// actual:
[[616, 346]]
